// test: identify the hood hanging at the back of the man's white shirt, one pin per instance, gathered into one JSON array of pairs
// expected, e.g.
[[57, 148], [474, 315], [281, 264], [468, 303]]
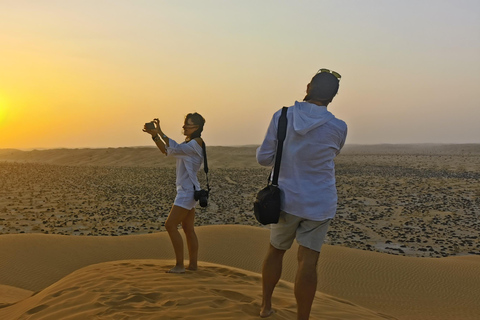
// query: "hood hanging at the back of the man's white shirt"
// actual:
[[308, 116]]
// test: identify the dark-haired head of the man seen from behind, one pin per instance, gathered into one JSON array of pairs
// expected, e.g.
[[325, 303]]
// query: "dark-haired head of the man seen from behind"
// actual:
[[323, 87]]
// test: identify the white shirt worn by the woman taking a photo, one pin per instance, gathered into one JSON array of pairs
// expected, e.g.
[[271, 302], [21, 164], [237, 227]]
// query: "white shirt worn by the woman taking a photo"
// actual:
[[189, 158]]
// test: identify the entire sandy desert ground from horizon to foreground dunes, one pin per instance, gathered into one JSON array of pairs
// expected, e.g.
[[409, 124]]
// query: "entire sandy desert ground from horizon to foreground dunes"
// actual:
[[82, 236]]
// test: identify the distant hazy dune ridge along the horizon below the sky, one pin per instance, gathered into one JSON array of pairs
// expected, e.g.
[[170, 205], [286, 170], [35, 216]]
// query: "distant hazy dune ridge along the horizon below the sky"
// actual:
[[219, 156]]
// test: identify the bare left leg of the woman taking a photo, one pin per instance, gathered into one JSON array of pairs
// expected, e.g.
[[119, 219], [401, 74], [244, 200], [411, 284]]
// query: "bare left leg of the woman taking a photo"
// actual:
[[176, 216]]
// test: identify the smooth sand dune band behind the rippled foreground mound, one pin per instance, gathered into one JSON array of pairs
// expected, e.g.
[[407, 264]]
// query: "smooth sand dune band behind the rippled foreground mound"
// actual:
[[392, 286]]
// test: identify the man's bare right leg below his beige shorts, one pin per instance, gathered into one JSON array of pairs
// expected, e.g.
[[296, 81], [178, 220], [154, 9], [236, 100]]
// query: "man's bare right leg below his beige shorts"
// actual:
[[306, 281]]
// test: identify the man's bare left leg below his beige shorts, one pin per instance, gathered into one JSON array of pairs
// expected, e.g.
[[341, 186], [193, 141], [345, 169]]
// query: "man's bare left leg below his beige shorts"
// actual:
[[271, 273]]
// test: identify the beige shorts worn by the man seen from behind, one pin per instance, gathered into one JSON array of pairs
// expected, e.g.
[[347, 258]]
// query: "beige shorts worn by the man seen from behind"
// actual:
[[309, 233]]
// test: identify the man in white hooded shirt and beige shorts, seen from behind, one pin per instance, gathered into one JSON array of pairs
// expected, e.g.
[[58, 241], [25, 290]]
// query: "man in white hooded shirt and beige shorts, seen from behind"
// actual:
[[307, 184]]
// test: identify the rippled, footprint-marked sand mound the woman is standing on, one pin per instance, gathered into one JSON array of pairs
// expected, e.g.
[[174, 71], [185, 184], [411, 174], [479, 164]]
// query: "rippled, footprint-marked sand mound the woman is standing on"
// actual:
[[140, 289]]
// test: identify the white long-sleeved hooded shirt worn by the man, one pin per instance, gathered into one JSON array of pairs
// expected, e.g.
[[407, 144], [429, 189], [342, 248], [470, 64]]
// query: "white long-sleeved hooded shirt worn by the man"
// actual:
[[307, 171]]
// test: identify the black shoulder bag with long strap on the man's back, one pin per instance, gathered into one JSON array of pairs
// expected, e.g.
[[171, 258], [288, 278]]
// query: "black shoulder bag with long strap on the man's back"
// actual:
[[267, 205]]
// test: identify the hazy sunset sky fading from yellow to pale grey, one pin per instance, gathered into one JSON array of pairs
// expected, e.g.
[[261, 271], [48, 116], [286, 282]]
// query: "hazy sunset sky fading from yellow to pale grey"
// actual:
[[90, 73]]
